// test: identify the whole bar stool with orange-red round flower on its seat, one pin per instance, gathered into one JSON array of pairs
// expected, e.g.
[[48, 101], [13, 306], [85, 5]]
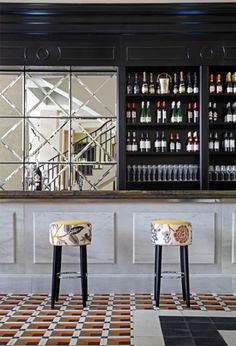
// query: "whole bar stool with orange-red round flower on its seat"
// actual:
[[172, 233]]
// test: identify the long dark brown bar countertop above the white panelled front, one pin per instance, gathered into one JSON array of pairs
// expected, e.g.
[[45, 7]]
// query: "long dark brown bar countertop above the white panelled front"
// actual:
[[116, 195]]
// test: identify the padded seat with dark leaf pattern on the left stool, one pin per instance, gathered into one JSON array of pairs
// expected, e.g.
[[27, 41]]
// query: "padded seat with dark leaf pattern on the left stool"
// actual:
[[70, 233]]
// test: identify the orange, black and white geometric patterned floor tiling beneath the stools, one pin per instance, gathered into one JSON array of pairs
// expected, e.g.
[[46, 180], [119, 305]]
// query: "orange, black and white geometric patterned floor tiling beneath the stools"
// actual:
[[108, 319]]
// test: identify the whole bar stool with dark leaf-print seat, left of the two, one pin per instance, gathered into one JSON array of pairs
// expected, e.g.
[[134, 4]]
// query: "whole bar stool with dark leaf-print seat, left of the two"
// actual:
[[69, 233]]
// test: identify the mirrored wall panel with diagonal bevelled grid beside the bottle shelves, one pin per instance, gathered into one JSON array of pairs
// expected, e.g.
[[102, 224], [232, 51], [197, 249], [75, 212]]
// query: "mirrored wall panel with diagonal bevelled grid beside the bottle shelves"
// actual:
[[58, 130]]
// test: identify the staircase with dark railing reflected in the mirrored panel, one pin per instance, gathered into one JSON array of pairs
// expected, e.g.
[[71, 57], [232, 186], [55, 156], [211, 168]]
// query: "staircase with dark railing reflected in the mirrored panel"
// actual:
[[91, 157]]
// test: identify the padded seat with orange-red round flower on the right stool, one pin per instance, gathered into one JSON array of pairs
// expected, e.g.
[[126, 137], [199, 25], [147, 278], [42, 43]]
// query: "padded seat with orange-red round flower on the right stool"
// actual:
[[171, 232]]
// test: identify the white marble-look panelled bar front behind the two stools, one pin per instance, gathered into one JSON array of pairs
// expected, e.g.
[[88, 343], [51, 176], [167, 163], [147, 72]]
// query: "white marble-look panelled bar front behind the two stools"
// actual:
[[121, 256]]
